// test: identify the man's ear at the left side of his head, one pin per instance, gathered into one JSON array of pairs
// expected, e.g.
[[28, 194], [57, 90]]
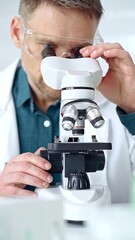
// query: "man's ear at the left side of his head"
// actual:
[[15, 30]]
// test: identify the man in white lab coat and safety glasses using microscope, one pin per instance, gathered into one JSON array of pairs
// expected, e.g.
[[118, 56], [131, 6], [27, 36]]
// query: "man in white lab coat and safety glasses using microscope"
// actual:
[[29, 110]]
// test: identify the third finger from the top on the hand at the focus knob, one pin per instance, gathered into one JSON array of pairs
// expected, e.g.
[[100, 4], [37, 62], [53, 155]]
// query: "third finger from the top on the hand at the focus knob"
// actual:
[[26, 179]]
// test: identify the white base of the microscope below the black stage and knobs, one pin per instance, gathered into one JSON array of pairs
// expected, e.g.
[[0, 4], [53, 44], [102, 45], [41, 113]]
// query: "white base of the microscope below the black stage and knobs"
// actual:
[[77, 204]]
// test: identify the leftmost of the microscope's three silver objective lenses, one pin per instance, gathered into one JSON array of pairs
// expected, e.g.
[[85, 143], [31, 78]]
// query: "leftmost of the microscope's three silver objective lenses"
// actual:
[[70, 115]]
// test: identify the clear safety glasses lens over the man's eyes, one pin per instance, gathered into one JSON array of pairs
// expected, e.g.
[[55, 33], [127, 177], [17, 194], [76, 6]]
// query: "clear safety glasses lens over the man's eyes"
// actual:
[[40, 46]]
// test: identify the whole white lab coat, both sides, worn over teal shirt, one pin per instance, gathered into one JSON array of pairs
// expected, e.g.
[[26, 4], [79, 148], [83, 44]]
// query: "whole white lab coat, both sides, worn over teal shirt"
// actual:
[[120, 161]]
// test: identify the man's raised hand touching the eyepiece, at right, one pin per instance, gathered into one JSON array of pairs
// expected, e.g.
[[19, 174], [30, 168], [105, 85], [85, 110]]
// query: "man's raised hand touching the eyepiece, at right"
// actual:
[[118, 85]]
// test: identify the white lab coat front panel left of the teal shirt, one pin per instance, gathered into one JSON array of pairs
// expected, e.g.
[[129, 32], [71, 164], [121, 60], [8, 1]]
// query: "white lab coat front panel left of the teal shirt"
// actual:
[[9, 143]]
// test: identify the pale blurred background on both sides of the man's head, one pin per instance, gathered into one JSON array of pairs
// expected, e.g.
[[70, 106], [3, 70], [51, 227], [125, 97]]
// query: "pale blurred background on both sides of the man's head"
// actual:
[[117, 25]]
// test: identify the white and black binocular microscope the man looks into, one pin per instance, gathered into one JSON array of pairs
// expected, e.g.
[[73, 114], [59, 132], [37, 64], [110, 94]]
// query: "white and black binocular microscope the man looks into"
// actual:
[[69, 154]]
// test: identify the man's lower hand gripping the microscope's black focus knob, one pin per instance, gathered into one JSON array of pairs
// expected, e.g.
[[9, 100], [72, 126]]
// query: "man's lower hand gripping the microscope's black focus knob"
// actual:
[[25, 169]]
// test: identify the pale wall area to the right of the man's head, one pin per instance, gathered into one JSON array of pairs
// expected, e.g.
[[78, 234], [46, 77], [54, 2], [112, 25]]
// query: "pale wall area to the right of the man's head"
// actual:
[[118, 23]]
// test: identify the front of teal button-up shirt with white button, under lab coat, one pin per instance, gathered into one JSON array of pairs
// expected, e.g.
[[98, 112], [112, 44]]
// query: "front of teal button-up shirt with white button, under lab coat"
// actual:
[[36, 128]]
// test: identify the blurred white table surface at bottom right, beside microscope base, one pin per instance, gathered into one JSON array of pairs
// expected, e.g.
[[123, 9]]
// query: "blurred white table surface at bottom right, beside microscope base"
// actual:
[[110, 223]]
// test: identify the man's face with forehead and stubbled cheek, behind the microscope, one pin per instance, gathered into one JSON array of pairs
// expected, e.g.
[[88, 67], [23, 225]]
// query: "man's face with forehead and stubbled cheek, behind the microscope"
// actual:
[[46, 20]]
